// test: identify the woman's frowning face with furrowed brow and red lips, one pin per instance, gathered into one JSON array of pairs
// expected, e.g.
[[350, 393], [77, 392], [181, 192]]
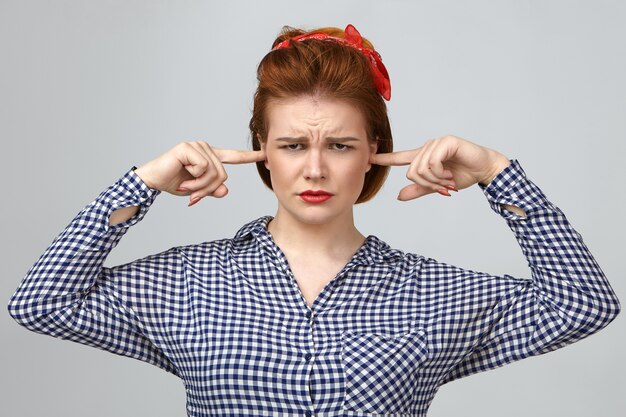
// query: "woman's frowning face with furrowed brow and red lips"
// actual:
[[317, 154]]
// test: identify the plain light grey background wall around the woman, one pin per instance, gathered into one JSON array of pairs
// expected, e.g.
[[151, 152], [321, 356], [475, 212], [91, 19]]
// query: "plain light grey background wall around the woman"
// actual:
[[90, 88]]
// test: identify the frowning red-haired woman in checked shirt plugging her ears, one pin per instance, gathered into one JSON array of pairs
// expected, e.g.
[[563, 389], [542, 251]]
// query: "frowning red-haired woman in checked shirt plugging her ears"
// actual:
[[300, 313]]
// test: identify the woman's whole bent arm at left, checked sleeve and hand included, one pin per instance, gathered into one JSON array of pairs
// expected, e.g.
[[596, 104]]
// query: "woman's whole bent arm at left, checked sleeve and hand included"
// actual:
[[69, 294]]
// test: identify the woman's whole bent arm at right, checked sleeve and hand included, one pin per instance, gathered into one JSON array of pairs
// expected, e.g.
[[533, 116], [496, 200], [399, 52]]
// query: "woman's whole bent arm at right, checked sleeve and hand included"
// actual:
[[487, 321]]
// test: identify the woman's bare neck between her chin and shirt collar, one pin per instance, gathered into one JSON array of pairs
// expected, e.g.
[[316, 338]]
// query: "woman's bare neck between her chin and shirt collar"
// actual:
[[338, 239]]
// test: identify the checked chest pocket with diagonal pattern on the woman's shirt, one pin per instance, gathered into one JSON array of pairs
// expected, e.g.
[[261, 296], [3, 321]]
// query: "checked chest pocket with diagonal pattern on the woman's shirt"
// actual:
[[381, 368]]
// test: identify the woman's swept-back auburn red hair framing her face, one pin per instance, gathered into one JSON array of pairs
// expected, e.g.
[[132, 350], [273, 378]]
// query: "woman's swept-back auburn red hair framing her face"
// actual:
[[326, 70]]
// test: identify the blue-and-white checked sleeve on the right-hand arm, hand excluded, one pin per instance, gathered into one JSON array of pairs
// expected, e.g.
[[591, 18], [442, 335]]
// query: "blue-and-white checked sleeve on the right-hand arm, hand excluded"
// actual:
[[506, 319]]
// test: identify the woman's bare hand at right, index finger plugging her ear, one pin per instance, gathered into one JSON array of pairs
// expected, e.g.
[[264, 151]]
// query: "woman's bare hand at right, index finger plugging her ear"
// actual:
[[447, 163]]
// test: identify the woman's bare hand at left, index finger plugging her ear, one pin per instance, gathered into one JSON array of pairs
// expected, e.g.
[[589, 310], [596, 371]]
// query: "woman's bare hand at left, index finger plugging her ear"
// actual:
[[194, 169]]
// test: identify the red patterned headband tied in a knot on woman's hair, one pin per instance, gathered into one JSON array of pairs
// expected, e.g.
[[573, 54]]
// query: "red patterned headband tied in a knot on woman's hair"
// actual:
[[353, 39]]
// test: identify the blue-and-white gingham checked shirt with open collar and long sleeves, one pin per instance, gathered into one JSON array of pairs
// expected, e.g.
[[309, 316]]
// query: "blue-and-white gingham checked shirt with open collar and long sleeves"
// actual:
[[228, 318]]
